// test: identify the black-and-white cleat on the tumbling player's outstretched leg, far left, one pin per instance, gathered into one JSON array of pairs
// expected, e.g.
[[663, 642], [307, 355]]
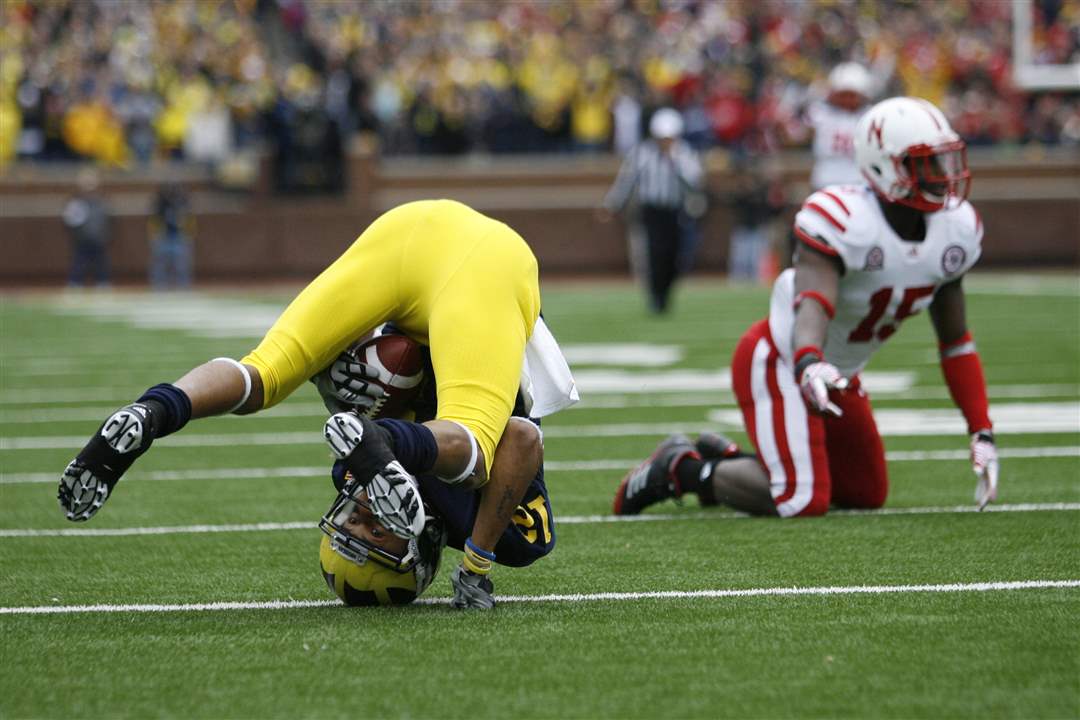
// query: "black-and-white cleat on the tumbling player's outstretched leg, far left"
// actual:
[[89, 480]]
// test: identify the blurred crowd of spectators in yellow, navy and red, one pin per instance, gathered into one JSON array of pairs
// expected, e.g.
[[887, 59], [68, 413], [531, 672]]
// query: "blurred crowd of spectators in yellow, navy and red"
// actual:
[[128, 83]]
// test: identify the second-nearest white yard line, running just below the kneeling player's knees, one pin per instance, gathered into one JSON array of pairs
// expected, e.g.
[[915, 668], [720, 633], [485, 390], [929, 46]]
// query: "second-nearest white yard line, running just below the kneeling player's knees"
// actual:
[[570, 520]]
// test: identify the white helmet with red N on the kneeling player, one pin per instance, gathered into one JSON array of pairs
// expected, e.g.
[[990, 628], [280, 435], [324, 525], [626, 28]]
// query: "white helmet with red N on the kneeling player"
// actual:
[[910, 155]]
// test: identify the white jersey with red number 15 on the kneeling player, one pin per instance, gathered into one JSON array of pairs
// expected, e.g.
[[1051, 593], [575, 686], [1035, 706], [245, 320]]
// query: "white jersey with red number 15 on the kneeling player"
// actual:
[[886, 279]]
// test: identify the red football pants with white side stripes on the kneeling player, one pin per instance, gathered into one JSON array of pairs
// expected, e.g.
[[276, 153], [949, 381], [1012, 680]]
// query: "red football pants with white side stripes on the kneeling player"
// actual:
[[813, 461]]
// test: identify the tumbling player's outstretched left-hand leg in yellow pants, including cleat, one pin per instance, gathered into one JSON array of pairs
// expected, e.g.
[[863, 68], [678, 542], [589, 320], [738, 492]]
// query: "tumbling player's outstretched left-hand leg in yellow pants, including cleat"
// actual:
[[335, 309]]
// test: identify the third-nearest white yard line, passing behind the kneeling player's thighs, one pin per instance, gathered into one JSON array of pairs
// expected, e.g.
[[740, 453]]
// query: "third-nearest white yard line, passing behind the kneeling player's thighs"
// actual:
[[550, 467]]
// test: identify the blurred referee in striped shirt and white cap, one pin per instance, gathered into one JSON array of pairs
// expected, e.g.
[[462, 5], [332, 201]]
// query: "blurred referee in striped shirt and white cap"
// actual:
[[664, 172]]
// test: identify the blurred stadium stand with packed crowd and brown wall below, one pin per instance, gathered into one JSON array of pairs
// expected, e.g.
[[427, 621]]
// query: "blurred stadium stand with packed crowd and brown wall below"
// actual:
[[517, 108]]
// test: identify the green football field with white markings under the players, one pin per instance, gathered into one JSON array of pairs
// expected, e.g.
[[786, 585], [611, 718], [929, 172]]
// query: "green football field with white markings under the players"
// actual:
[[197, 592]]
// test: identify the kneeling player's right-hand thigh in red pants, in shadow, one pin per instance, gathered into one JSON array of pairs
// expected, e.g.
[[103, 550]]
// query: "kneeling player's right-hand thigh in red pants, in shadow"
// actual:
[[856, 454]]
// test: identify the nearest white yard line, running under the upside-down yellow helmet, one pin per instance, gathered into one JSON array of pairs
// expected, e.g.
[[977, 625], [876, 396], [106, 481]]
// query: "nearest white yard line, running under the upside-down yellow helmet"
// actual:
[[991, 587]]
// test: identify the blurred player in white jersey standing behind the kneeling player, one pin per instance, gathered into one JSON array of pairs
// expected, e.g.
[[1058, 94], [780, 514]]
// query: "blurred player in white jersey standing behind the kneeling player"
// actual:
[[850, 88]]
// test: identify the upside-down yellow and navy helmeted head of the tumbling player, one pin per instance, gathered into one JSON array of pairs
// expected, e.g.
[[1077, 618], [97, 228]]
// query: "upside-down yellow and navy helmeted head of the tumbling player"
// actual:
[[364, 564]]
